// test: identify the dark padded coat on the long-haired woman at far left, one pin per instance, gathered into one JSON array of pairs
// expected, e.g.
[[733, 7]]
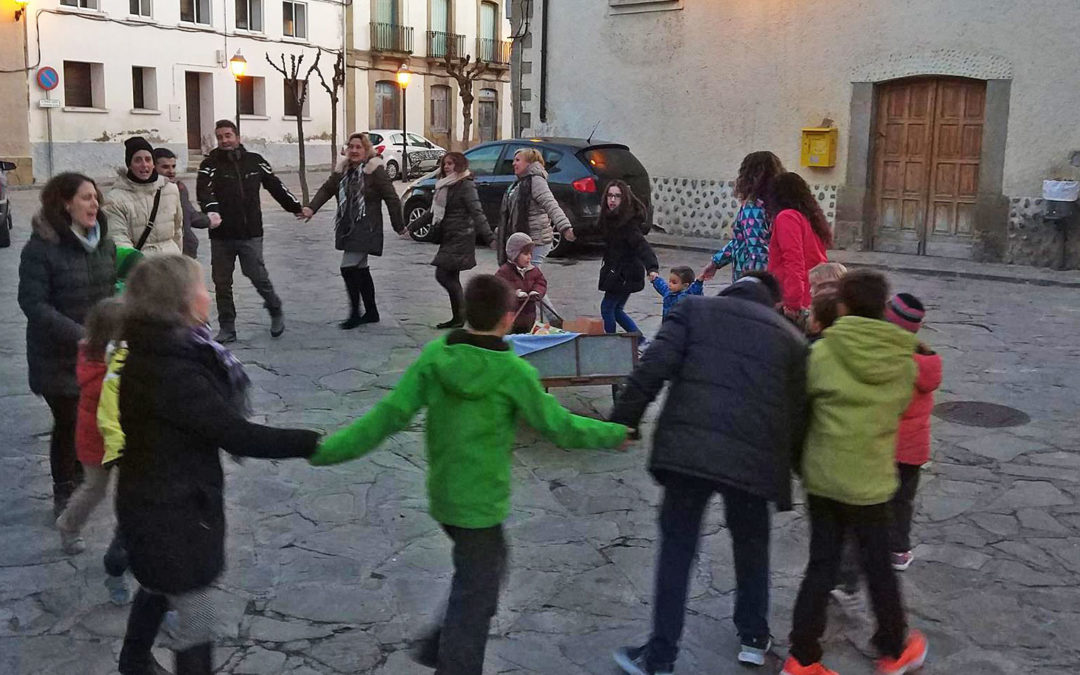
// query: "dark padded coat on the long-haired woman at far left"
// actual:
[[59, 282]]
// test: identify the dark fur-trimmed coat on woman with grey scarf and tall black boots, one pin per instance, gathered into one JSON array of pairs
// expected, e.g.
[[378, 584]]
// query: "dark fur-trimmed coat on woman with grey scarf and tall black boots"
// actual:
[[364, 236]]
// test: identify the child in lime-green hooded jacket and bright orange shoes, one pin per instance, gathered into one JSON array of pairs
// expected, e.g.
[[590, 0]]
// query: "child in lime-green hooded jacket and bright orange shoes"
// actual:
[[860, 381]]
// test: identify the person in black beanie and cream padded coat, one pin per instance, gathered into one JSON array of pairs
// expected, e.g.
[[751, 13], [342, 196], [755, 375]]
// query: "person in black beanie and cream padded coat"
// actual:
[[130, 202]]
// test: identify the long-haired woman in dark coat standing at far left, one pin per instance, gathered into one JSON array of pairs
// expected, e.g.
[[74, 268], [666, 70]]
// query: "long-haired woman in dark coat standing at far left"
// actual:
[[67, 266]]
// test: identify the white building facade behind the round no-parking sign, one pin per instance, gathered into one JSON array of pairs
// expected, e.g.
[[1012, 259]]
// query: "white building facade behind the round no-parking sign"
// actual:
[[160, 70]]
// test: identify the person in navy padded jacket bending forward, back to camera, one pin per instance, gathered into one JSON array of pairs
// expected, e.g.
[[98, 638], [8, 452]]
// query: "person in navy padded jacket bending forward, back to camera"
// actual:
[[733, 424]]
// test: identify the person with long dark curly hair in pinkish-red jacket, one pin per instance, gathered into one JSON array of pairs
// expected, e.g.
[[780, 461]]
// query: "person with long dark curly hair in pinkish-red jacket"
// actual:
[[801, 235]]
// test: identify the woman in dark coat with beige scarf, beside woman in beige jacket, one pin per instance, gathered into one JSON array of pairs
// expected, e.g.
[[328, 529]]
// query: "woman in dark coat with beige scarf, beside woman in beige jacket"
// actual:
[[457, 215]]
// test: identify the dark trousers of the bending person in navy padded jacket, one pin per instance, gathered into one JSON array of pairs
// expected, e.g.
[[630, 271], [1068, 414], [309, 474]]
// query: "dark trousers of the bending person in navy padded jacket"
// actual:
[[748, 520]]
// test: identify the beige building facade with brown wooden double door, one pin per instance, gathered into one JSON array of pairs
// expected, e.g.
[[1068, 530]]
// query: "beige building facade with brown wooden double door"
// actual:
[[949, 117]]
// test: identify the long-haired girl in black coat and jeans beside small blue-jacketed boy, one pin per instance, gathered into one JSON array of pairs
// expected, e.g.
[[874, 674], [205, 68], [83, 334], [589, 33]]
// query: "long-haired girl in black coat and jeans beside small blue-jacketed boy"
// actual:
[[628, 256]]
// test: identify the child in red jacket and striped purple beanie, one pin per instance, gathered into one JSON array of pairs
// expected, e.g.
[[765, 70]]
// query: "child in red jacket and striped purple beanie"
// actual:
[[913, 441]]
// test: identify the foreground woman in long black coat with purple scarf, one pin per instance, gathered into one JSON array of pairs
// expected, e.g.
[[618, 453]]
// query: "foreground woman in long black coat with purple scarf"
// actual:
[[183, 398]]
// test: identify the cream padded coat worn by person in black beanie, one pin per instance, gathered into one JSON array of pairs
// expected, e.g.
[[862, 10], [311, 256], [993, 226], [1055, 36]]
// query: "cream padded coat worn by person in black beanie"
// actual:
[[129, 206]]
